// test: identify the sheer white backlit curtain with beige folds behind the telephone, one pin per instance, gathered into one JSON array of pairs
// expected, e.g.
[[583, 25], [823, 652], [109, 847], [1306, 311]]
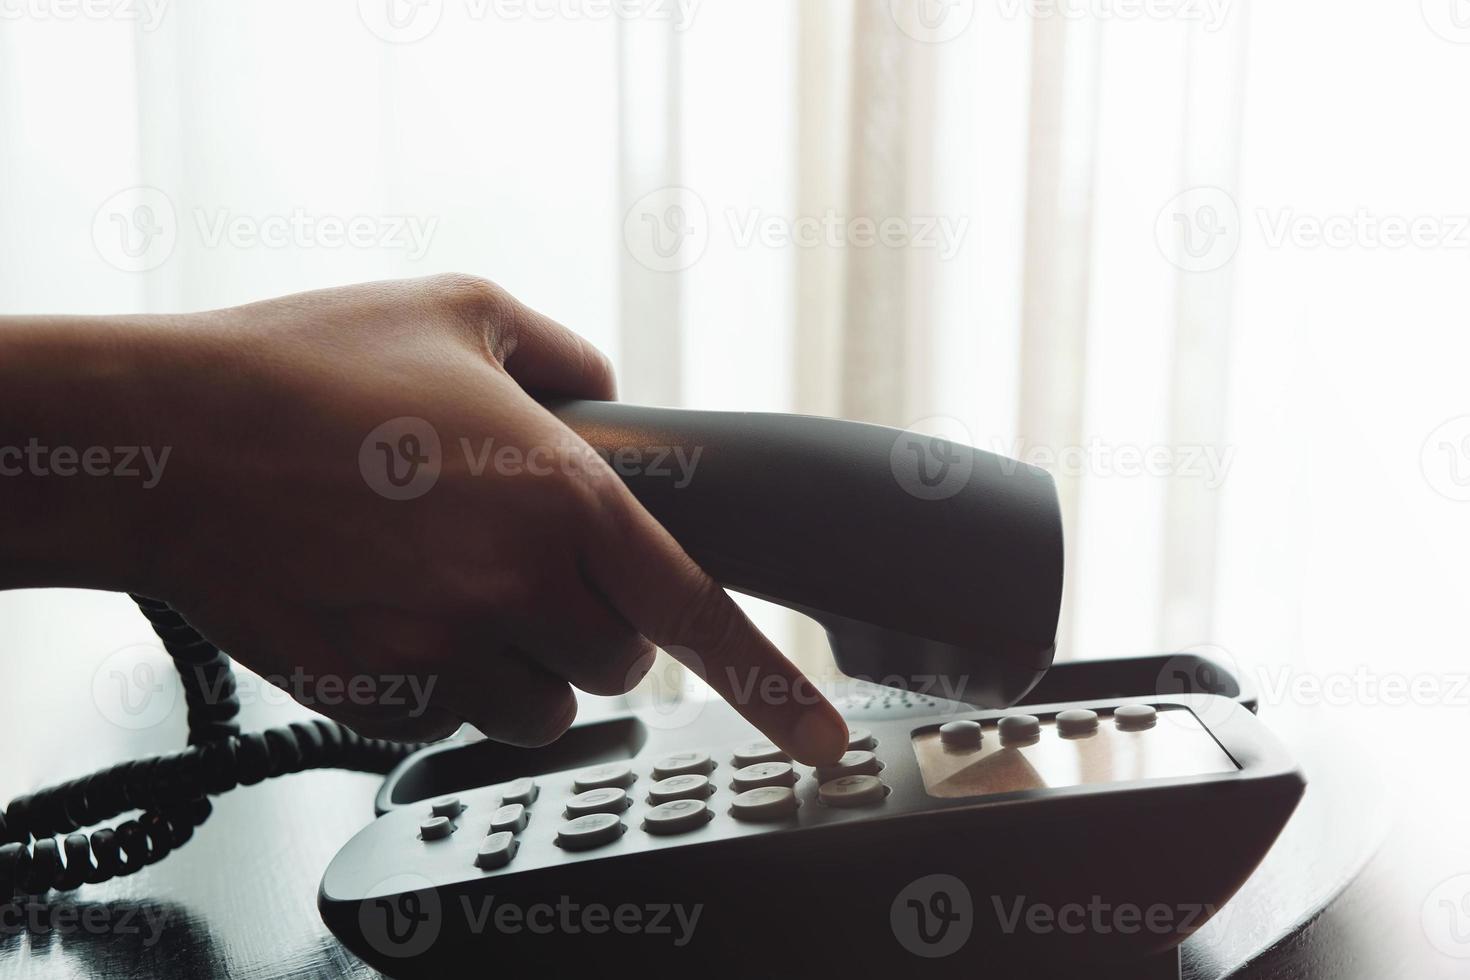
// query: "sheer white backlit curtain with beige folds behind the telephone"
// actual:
[[1074, 206]]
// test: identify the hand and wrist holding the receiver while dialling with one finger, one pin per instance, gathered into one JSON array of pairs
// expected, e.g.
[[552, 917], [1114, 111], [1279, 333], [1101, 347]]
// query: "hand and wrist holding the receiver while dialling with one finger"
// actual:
[[361, 490]]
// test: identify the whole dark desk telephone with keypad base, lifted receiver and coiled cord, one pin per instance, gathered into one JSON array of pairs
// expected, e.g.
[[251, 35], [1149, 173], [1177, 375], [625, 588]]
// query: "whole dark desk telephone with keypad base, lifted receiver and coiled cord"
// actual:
[[924, 561]]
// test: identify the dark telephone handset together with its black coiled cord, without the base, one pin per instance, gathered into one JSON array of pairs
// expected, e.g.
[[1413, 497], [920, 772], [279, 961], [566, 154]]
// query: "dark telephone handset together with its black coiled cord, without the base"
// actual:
[[922, 559]]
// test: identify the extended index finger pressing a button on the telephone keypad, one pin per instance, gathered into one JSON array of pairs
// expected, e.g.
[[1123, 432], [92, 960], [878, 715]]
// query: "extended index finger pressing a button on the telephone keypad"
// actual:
[[667, 597]]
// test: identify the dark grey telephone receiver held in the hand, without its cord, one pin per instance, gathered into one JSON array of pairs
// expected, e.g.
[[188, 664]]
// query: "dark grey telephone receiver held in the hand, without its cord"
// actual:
[[924, 559]]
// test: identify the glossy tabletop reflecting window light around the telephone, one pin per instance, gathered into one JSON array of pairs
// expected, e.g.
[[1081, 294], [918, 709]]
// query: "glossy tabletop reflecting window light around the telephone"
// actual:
[[240, 898]]
